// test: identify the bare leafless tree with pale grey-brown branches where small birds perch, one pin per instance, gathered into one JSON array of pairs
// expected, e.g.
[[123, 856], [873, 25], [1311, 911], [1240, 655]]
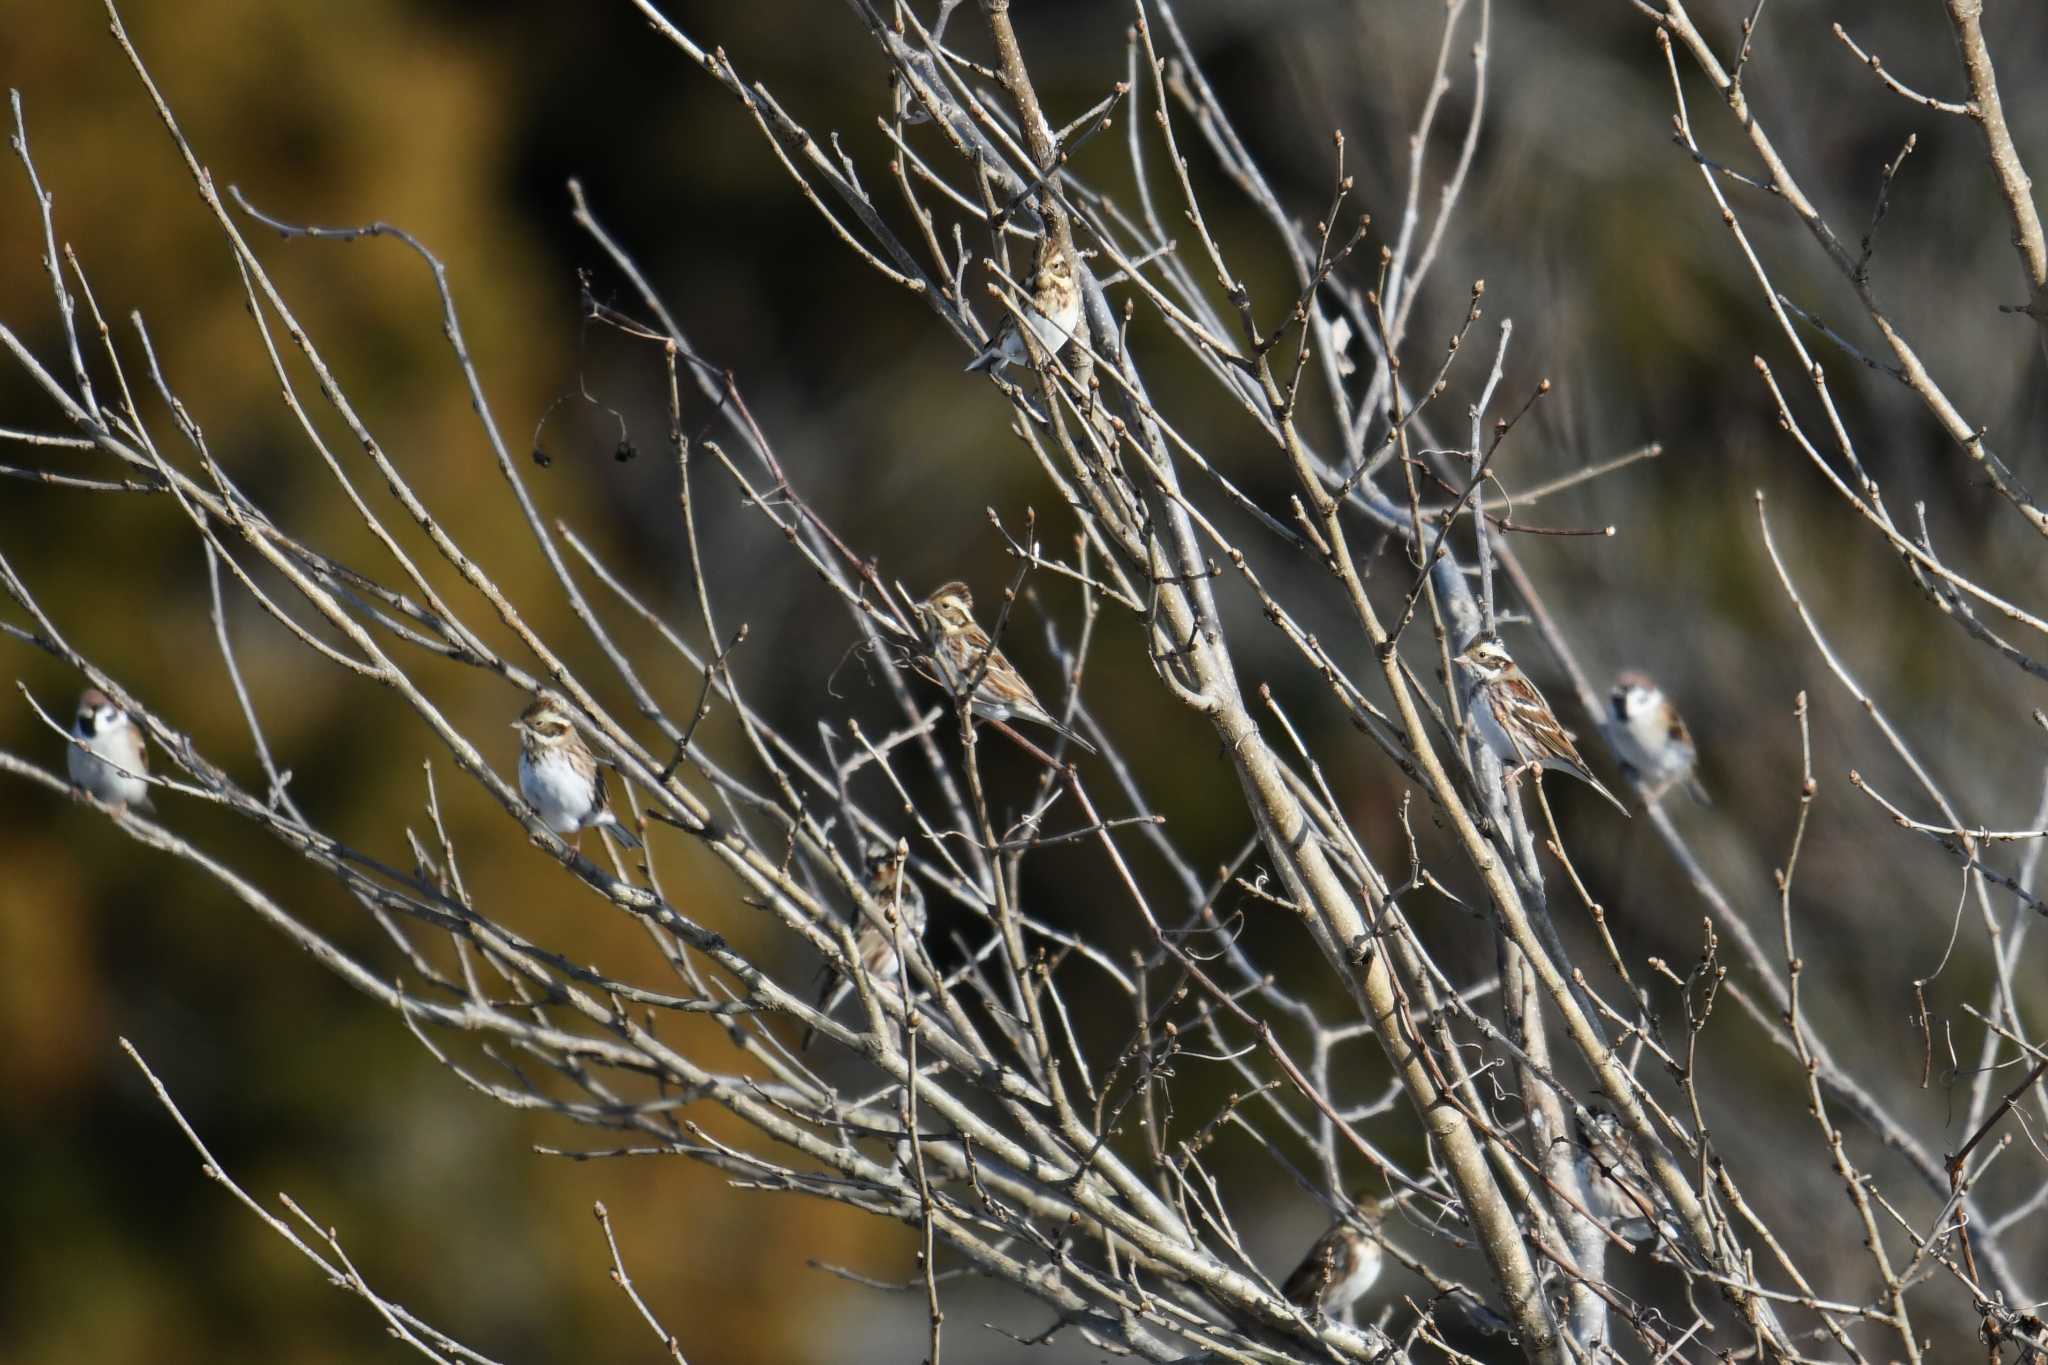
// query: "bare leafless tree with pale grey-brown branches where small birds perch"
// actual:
[[1539, 1129]]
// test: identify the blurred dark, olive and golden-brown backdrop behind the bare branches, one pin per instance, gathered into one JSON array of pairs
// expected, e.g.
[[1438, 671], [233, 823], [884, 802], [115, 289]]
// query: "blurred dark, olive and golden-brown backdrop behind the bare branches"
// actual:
[[462, 122]]
